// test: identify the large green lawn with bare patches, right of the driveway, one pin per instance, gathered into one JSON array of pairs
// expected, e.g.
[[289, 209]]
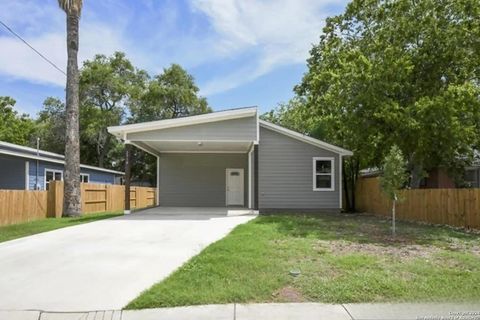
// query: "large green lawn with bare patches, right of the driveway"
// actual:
[[342, 258]]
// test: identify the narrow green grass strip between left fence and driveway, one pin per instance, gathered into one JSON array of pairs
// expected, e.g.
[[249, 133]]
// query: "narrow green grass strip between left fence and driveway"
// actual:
[[19, 230]]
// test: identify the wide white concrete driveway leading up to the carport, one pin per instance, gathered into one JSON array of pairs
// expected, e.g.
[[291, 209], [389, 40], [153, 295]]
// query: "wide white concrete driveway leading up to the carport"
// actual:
[[104, 265]]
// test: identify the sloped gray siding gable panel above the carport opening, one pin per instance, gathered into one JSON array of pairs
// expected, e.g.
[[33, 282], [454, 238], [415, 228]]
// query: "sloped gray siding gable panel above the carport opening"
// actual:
[[237, 129]]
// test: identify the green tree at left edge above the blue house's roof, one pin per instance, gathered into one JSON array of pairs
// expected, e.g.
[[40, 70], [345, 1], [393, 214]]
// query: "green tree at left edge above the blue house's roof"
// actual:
[[14, 128]]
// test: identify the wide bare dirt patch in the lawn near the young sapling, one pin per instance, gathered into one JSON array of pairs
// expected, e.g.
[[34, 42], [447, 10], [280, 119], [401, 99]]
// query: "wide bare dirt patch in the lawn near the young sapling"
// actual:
[[398, 251]]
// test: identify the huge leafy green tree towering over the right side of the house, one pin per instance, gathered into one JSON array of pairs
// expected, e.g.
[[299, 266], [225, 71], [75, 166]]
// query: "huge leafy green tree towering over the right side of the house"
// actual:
[[398, 72]]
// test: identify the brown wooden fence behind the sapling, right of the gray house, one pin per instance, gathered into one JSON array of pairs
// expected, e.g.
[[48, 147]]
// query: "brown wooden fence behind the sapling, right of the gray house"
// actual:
[[455, 207]]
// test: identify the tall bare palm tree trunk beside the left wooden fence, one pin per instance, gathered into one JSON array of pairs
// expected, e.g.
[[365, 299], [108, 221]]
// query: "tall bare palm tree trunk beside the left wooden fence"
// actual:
[[71, 199]]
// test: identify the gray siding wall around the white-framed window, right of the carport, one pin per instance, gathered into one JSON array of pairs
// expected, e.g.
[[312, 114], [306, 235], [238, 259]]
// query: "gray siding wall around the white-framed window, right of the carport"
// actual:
[[285, 174]]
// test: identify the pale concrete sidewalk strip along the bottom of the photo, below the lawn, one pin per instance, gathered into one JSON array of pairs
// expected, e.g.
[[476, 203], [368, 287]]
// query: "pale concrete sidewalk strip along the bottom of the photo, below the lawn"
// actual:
[[271, 311]]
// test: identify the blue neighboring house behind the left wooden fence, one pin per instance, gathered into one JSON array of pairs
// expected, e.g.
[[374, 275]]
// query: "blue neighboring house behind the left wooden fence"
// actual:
[[23, 168]]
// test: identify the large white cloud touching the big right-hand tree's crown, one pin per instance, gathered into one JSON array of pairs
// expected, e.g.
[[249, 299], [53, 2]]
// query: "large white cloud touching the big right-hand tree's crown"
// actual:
[[281, 32]]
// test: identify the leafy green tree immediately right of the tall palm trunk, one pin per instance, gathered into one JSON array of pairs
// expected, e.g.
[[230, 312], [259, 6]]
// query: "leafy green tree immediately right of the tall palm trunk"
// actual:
[[106, 86]]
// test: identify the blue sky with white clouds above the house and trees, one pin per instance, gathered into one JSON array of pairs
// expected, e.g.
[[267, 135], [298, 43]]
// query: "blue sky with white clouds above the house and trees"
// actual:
[[250, 37]]
